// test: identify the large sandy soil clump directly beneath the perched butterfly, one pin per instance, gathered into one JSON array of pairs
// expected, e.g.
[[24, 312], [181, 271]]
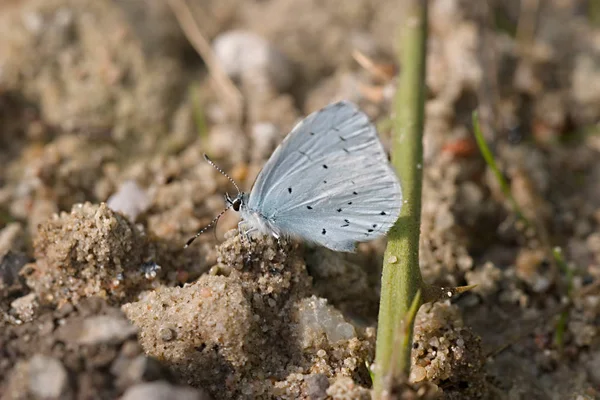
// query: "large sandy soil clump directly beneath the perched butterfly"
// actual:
[[221, 332]]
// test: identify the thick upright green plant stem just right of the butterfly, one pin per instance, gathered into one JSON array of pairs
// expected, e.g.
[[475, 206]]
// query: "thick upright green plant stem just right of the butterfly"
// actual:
[[401, 277]]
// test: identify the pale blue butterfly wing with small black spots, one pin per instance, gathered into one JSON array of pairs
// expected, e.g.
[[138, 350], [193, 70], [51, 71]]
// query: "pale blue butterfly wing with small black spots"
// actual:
[[329, 181]]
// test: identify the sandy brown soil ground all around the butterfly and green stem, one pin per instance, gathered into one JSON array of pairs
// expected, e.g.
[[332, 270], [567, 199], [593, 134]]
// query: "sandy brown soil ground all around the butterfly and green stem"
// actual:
[[106, 111]]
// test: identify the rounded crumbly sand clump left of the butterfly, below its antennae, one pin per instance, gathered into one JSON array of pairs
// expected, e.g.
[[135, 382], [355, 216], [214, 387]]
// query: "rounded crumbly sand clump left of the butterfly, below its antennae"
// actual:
[[91, 251]]
